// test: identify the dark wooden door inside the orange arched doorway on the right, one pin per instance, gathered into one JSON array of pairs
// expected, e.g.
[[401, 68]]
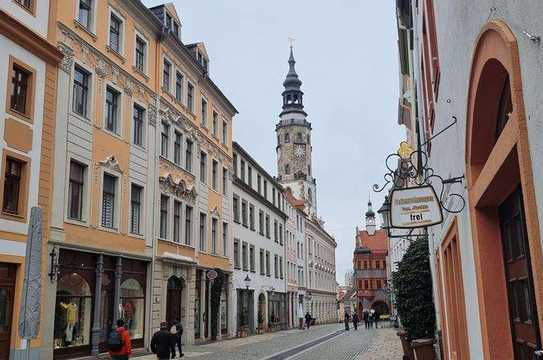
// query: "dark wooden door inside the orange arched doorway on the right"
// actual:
[[520, 287]]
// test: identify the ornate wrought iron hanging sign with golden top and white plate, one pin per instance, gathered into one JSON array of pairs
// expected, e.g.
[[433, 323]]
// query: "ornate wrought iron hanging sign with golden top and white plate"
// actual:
[[414, 201]]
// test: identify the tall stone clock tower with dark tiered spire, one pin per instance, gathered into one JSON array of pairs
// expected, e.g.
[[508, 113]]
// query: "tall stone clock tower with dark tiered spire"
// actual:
[[294, 142]]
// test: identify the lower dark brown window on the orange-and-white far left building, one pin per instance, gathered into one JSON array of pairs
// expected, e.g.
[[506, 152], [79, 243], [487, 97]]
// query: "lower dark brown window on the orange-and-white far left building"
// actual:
[[12, 186]]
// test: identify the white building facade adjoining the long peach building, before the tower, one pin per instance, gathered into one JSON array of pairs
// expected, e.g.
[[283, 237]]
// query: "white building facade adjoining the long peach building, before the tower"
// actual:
[[260, 273]]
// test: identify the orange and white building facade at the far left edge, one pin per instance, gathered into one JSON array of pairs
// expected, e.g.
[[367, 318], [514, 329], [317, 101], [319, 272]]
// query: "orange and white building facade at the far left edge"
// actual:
[[28, 98]]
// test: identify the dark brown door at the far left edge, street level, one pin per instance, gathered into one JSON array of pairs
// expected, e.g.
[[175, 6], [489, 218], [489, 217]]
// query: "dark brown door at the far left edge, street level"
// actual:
[[7, 285]]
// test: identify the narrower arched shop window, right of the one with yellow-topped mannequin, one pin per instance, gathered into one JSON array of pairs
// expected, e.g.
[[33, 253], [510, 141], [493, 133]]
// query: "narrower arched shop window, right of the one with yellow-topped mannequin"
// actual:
[[132, 307]]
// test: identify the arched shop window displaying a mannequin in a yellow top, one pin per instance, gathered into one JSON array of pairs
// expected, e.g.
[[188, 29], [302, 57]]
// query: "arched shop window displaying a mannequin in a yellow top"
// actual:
[[73, 312]]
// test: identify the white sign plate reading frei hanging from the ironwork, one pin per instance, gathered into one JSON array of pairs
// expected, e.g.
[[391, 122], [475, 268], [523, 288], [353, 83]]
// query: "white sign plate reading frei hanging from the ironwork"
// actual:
[[415, 207]]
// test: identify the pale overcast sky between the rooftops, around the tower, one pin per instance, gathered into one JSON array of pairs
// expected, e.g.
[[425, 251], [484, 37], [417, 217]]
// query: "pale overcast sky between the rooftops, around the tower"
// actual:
[[346, 56]]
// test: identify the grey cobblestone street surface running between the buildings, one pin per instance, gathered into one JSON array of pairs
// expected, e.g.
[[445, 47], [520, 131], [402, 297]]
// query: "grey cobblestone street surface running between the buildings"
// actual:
[[352, 345]]
